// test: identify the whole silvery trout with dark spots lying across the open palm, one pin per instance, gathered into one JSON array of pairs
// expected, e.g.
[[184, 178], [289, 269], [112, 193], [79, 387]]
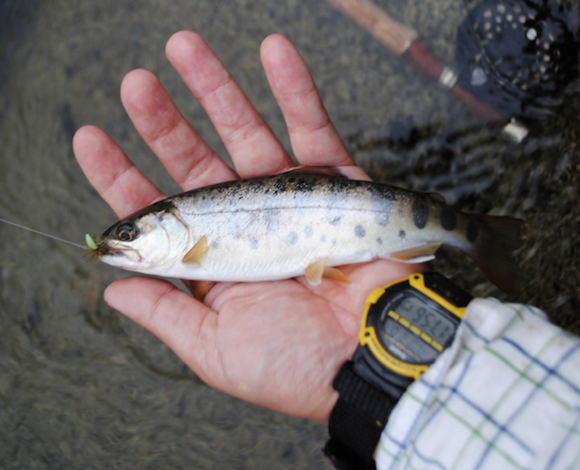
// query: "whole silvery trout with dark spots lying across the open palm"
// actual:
[[302, 222]]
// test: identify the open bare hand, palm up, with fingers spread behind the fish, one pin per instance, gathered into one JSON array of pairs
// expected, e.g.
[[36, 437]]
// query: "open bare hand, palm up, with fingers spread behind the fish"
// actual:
[[276, 344]]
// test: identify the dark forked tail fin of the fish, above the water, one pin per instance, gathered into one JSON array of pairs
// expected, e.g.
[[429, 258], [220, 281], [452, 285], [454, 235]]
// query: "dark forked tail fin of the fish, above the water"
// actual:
[[492, 253]]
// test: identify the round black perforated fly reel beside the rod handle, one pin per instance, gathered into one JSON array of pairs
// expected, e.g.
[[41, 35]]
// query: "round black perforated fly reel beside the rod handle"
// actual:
[[516, 55]]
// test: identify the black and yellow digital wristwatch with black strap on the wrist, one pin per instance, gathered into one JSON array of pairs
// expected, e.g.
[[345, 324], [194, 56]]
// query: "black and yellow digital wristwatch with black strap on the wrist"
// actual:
[[405, 326]]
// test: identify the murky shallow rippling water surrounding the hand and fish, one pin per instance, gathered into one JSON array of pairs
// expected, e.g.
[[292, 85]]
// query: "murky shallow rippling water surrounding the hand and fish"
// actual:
[[83, 387]]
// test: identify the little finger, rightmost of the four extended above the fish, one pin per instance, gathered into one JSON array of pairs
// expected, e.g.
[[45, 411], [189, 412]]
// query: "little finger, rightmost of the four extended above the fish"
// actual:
[[312, 135]]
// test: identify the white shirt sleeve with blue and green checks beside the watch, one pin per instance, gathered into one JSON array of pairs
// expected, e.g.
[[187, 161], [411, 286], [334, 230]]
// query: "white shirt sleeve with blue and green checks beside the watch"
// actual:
[[505, 395]]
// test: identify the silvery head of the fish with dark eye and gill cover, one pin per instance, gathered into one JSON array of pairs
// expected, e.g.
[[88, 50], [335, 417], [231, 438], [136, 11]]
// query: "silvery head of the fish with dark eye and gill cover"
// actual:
[[144, 242]]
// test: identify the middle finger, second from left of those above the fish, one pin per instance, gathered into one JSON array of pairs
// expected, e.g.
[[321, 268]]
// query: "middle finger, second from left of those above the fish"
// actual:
[[187, 158]]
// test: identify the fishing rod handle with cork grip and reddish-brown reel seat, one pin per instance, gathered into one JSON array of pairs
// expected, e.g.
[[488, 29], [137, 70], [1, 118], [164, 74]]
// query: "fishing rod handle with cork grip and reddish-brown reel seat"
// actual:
[[406, 42]]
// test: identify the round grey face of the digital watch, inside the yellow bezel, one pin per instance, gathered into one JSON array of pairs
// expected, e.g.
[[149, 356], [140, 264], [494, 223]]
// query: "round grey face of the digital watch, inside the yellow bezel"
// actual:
[[413, 329]]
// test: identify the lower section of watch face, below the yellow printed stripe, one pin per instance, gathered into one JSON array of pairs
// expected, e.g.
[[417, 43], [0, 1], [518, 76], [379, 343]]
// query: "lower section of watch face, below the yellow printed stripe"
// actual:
[[404, 344]]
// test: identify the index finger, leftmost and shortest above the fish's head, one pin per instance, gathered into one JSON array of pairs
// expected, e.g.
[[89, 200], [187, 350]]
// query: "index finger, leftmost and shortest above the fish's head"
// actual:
[[111, 173]]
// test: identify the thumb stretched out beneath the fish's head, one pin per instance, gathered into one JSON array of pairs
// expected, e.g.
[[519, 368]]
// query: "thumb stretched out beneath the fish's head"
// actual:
[[185, 325]]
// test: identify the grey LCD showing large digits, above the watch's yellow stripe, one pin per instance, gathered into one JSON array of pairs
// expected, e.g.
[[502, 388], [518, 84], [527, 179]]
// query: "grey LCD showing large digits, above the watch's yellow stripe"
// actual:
[[428, 321]]
